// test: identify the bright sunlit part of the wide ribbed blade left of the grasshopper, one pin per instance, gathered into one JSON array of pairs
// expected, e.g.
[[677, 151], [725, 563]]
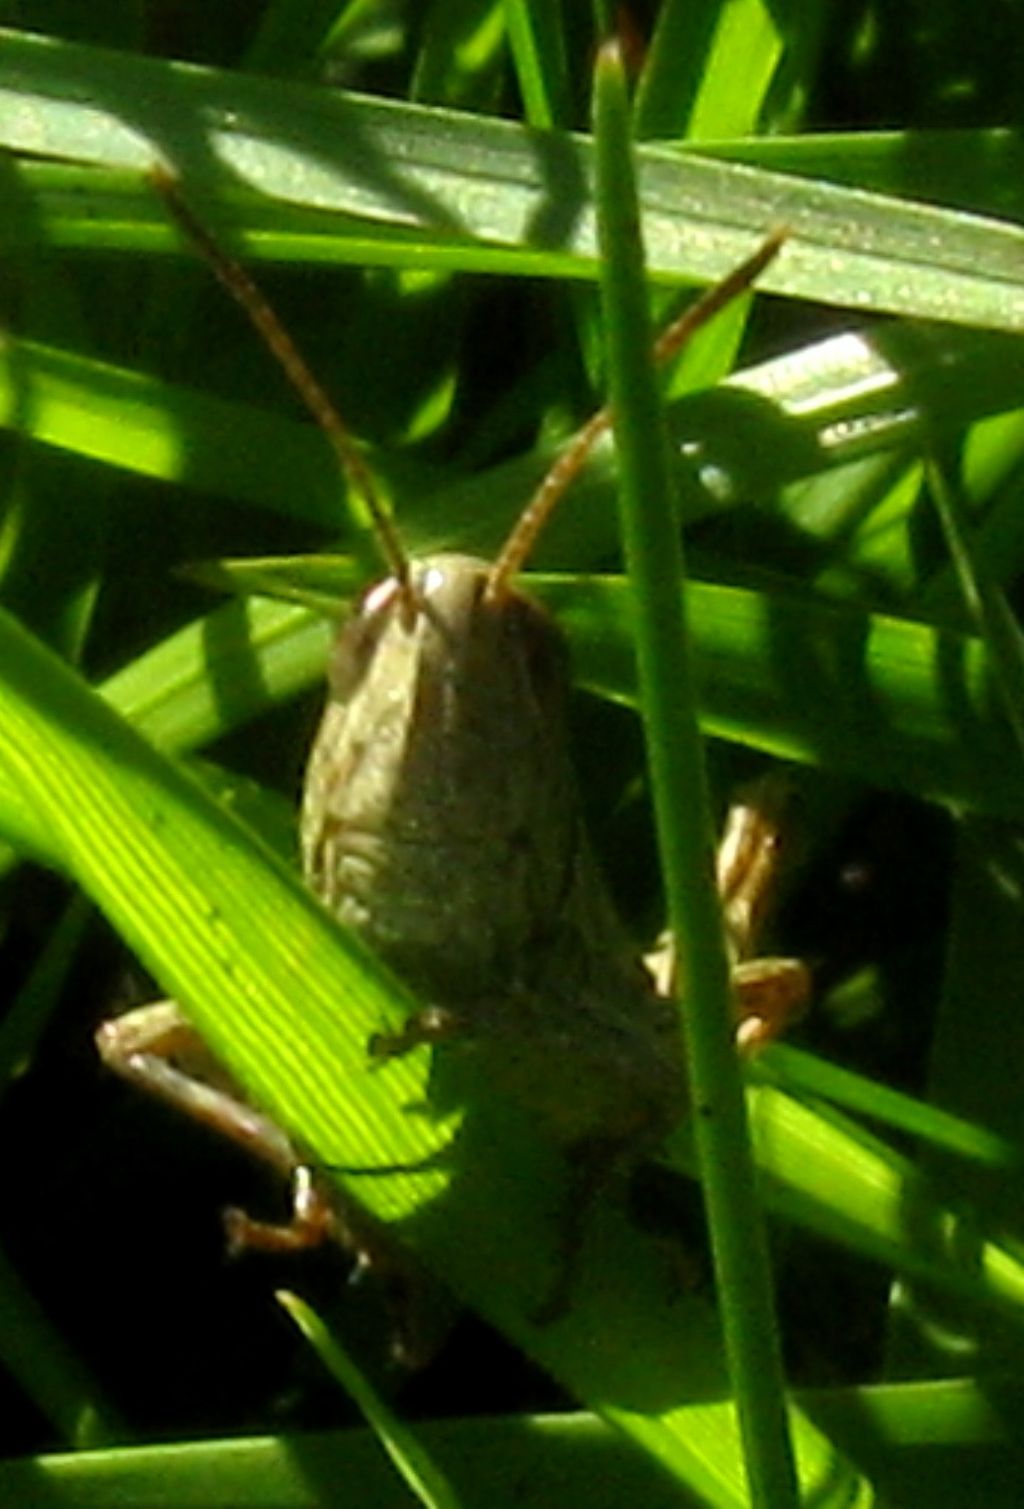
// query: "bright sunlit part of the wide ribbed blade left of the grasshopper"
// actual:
[[216, 918]]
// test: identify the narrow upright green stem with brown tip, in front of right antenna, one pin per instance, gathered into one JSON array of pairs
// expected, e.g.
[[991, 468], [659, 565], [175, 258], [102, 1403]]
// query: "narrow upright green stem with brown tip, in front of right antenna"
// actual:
[[682, 810]]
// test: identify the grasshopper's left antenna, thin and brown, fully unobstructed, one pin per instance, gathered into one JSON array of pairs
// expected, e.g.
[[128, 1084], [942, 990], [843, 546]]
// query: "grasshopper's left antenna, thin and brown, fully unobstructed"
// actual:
[[248, 295]]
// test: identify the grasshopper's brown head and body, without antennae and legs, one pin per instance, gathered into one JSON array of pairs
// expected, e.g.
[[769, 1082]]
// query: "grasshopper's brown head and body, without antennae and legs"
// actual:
[[441, 820]]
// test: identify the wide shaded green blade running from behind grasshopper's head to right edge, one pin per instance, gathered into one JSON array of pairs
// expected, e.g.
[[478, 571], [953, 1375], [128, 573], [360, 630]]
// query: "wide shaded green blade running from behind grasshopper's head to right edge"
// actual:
[[883, 699]]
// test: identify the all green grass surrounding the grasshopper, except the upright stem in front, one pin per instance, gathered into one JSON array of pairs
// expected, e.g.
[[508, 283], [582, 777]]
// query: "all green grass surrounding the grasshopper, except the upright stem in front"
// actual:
[[438, 263]]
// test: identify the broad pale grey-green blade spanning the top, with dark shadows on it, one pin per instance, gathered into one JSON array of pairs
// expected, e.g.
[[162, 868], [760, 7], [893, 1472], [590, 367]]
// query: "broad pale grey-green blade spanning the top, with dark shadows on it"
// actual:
[[485, 183]]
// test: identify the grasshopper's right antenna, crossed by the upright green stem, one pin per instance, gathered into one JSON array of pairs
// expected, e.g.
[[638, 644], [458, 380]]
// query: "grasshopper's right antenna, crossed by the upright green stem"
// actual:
[[574, 458]]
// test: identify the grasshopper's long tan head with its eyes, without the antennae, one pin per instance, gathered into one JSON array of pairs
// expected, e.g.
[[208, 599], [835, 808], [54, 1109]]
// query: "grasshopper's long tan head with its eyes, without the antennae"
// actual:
[[440, 814]]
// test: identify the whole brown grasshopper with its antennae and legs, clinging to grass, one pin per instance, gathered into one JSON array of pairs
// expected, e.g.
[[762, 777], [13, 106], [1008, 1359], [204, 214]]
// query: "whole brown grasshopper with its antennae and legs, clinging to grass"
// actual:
[[441, 820]]
